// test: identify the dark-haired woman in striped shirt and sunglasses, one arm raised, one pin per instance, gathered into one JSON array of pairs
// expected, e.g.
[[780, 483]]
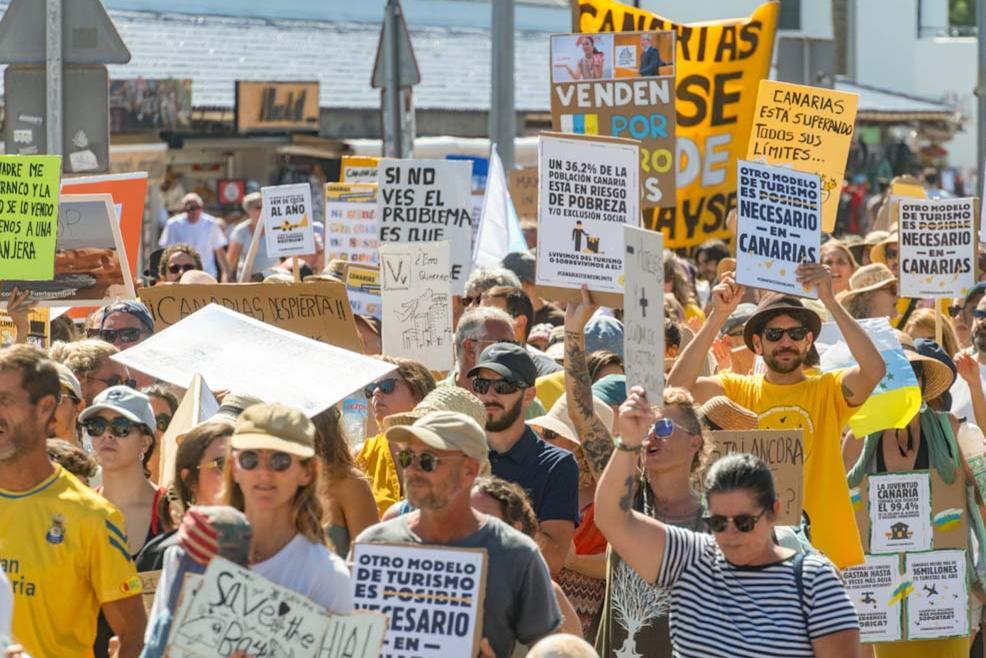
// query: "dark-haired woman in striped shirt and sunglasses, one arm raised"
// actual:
[[733, 593]]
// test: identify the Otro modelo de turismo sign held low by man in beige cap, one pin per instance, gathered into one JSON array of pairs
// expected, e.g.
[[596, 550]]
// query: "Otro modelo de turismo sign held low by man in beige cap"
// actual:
[[432, 596]]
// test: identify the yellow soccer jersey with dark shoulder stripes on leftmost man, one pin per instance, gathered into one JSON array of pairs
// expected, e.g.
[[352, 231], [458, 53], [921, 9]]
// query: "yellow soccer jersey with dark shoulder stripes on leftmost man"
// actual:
[[64, 551]]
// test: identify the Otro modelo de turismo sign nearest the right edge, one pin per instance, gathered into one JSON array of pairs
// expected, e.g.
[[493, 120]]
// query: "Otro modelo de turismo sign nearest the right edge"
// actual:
[[937, 248]]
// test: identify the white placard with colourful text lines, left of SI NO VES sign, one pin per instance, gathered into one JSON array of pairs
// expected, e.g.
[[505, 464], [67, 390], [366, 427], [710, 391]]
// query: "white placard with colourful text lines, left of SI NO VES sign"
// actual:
[[351, 232]]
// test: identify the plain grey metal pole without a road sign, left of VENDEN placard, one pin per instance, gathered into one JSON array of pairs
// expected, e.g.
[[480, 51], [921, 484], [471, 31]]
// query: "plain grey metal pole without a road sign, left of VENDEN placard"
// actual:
[[503, 125]]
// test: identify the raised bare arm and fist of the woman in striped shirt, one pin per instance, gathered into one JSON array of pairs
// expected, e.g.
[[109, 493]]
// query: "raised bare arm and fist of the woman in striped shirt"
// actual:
[[637, 538]]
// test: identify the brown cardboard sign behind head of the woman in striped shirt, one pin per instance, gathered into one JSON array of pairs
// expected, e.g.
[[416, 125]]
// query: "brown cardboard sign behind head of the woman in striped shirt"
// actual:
[[784, 452]]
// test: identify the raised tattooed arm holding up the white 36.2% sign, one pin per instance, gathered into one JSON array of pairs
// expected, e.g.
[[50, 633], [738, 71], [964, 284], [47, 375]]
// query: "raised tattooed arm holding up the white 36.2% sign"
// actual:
[[597, 443]]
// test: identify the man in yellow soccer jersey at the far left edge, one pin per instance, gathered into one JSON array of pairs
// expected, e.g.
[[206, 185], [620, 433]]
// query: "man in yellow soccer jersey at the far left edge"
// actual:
[[62, 546]]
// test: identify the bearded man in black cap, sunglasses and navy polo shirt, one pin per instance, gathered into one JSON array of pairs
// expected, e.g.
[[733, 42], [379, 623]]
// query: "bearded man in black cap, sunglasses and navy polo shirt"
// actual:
[[503, 379]]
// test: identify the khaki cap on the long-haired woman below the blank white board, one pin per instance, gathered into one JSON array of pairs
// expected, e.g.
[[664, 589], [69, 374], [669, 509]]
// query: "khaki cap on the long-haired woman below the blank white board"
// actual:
[[274, 427]]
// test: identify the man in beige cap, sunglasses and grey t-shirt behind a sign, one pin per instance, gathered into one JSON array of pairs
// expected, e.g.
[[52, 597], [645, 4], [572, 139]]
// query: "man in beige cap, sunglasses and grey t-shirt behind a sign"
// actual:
[[443, 452]]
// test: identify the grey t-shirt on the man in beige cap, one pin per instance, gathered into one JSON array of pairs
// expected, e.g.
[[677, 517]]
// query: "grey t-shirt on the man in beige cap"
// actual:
[[520, 604]]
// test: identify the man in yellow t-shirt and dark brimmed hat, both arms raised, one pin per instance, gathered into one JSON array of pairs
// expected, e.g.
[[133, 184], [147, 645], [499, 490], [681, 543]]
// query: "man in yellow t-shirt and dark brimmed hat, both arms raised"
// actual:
[[783, 331]]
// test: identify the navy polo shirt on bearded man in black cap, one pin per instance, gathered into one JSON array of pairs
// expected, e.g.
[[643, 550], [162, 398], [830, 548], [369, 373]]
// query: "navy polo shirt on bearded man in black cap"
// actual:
[[550, 476]]
